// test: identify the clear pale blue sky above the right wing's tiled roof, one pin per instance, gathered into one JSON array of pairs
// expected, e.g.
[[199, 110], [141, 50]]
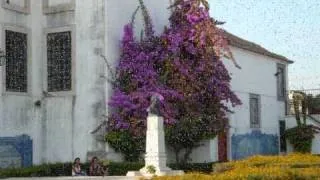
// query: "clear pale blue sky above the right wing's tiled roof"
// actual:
[[287, 27]]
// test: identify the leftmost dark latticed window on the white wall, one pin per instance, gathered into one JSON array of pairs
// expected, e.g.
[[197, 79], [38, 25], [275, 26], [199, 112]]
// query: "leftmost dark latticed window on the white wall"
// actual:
[[16, 61]]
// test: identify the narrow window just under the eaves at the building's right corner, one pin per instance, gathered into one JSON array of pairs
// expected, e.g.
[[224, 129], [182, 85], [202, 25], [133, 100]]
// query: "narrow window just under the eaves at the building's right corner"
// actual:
[[281, 82]]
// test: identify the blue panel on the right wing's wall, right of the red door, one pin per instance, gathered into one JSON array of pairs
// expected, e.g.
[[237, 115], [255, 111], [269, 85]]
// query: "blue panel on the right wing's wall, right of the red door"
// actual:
[[254, 143]]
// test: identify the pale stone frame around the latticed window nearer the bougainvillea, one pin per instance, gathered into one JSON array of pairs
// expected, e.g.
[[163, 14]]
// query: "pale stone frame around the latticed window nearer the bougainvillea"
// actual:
[[47, 31]]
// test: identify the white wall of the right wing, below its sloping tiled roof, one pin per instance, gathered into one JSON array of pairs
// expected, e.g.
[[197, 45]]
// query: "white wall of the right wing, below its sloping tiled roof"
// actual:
[[256, 76]]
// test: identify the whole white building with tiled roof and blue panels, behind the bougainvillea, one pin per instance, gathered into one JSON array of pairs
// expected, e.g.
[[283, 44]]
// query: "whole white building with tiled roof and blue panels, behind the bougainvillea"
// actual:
[[54, 95]]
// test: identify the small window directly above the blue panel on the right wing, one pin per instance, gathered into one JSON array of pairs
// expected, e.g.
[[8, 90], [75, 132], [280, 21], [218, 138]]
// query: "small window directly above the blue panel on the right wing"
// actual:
[[255, 111]]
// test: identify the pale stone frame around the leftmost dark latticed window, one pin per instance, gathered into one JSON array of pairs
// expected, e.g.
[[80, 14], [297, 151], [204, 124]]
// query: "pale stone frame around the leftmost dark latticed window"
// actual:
[[26, 31]]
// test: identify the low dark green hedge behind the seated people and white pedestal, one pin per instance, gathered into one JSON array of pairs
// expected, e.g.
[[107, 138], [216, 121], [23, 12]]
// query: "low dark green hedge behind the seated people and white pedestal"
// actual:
[[115, 169]]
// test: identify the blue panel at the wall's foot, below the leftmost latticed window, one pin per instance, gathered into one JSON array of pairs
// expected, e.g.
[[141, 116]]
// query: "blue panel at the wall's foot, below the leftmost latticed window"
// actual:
[[15, 151]]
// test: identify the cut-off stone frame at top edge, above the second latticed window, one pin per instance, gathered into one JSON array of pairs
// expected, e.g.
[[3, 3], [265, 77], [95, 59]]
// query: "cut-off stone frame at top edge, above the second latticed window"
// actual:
[[58, 8]]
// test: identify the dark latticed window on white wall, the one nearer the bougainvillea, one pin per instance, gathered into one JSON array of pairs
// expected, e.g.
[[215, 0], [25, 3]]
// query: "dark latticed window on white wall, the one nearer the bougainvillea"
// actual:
[[59, 61]]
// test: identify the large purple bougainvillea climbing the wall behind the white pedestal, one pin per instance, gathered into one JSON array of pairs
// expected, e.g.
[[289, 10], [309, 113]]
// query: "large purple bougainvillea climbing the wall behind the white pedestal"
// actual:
[[184, 65]]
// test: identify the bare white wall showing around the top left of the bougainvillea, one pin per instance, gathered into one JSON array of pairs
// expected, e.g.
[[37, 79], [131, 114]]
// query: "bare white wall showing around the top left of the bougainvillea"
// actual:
[[119, 13]]
